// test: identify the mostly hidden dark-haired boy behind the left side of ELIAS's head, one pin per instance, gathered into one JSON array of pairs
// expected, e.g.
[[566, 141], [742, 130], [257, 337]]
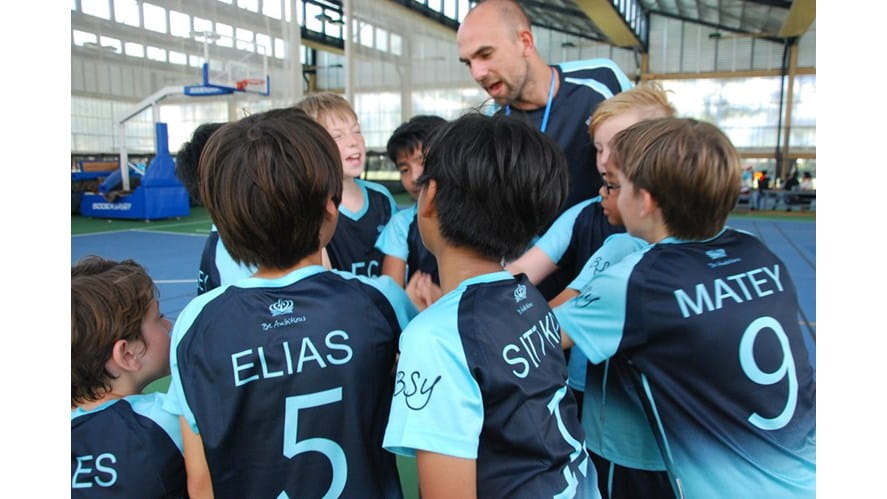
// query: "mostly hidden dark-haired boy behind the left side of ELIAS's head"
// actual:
[[216, 266]]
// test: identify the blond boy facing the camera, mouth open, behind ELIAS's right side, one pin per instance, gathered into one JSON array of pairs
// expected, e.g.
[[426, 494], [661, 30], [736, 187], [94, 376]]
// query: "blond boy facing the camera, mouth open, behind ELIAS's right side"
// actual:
[[366, 206]]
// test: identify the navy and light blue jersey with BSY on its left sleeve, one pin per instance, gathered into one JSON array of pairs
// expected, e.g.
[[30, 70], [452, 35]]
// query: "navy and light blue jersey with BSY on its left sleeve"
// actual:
[[481, 376]]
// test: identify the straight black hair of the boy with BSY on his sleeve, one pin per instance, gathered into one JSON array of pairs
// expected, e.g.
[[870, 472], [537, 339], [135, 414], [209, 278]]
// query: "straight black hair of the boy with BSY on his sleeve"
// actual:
[[499, 181]]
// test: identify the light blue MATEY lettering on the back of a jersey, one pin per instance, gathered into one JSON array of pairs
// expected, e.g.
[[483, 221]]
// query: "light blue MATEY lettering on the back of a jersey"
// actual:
[[737, 288]]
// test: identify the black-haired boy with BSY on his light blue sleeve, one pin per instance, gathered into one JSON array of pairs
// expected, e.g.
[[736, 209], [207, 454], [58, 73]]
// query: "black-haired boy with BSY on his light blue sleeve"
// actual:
[[479, 395]]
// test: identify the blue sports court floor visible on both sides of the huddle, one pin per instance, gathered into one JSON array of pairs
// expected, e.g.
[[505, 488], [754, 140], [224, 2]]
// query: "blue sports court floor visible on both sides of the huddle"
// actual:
[[172, 259]]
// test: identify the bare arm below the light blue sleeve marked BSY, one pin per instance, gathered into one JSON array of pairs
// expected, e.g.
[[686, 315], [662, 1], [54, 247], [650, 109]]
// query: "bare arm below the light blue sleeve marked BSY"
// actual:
[[442, 476]]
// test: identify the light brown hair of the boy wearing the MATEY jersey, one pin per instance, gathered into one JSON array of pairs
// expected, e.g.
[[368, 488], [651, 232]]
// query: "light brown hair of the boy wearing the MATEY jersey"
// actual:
[[689, 167]]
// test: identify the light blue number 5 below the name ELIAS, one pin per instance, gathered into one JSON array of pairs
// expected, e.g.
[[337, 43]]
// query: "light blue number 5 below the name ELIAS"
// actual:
[[292, 446]]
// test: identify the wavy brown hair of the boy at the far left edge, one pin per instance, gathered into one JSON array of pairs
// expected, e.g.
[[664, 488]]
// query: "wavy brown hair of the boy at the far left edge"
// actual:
[[109, 300]]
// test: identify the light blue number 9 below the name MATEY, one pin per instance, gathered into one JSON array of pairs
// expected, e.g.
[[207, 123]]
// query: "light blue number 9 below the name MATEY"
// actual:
[[787, 370]]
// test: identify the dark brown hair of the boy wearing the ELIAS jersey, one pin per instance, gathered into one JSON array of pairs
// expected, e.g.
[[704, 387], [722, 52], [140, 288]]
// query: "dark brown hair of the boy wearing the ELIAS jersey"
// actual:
[[265, 181]]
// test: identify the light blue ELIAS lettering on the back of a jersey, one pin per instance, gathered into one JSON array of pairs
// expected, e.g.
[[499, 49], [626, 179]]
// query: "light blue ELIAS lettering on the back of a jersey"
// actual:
[[284, 359]]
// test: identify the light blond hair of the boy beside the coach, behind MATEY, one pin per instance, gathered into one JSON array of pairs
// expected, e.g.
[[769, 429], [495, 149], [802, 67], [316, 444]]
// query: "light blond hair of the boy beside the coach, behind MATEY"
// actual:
[[647, 98]]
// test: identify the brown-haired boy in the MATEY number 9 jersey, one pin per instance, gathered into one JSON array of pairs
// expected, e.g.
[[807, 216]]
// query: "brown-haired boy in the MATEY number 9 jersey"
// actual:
[[704, 320]]
